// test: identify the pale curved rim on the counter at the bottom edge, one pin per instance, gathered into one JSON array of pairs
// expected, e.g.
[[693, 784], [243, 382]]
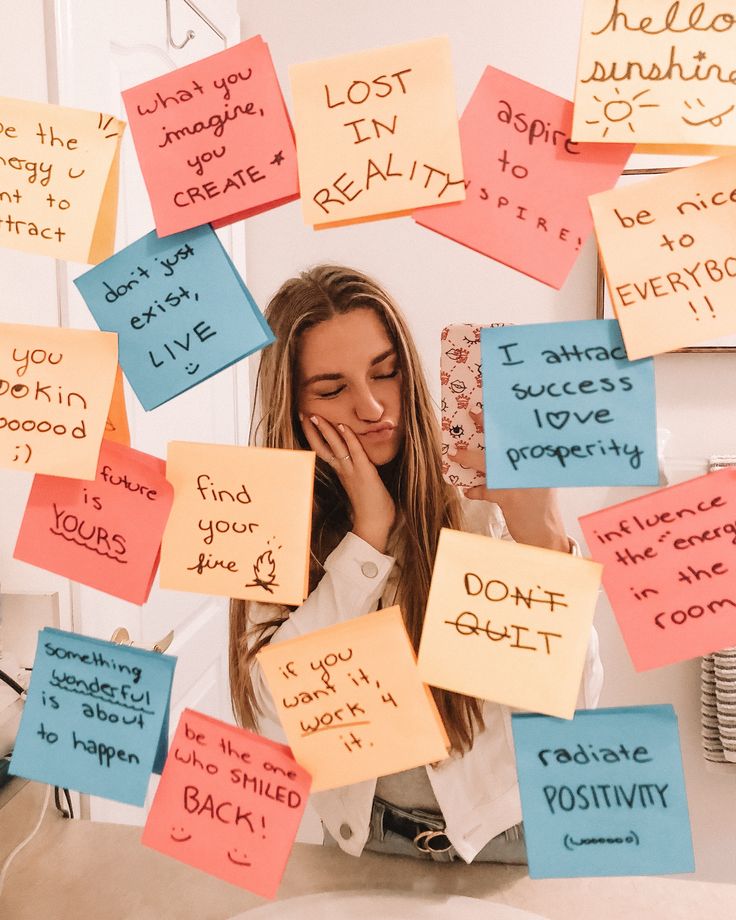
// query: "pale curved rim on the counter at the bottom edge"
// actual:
[[368, 905]]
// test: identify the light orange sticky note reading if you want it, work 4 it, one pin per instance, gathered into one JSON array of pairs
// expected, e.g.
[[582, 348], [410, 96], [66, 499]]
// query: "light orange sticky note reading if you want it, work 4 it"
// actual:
[[351, 701]]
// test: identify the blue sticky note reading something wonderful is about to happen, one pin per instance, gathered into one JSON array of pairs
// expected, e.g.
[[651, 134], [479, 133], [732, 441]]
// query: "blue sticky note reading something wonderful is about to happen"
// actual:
[[94, 717]]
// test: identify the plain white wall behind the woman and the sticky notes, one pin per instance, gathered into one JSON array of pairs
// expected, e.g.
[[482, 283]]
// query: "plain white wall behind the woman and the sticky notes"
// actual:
[[438, 282]]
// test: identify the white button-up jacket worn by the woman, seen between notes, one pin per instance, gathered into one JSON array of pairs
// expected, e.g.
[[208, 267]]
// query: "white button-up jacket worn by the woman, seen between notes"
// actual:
[[478, 792]]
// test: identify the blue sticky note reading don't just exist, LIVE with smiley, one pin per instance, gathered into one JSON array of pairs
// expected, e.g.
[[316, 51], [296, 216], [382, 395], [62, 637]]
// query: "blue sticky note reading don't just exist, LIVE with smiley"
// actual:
[[181, 311]]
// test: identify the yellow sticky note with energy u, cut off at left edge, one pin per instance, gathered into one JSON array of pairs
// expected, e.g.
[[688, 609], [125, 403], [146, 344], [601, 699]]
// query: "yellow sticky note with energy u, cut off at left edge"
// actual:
[[59, 172]]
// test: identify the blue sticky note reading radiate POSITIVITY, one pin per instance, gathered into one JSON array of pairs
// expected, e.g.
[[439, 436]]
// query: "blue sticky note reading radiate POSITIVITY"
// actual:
[[604, 793]]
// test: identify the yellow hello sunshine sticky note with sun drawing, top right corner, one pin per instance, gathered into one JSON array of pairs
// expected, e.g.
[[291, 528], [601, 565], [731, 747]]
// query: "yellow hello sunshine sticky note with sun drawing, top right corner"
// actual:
[[656, 72]]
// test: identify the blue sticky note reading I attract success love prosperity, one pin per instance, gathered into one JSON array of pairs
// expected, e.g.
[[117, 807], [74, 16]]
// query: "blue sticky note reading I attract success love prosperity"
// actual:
[[563, 406]]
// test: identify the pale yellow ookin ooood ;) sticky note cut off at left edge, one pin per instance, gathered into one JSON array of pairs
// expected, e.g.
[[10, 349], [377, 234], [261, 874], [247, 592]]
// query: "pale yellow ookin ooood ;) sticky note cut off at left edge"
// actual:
[[55, 391]]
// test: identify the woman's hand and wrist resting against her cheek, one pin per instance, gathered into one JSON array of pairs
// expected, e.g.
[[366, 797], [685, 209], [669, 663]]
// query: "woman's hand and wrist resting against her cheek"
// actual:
[[373, 508]]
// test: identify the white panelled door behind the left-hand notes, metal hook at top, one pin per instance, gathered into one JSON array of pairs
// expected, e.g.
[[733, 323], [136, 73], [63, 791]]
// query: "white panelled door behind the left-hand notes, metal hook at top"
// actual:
[[103, 47]]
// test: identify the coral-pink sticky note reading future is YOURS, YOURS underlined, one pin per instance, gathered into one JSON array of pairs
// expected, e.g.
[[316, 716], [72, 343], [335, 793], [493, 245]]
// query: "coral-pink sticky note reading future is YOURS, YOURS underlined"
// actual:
[[105, 533]]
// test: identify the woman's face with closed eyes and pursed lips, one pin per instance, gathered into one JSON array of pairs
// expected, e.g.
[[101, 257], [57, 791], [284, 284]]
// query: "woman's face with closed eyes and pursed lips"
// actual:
[[349, 374]]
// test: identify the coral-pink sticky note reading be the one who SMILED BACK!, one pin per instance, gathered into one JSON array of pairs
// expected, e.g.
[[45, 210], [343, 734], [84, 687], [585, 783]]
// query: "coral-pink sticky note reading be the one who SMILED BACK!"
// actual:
[[229, 803]]
